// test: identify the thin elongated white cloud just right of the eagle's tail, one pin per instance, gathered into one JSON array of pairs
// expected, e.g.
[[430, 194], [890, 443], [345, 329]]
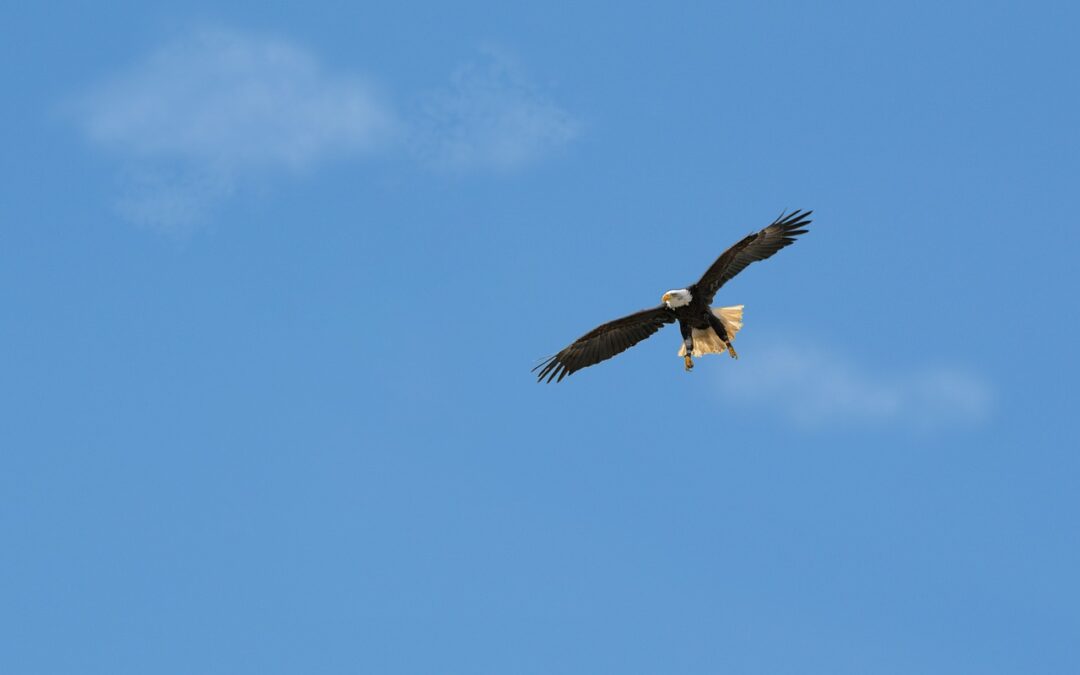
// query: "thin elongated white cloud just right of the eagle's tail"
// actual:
[[814, 388]]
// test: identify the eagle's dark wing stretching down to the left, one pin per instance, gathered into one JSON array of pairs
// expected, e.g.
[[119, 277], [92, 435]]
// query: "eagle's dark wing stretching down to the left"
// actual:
[[605, 342]]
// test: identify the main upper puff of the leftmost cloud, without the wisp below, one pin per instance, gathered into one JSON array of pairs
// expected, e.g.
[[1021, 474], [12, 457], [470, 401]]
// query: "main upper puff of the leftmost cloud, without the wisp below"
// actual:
[[236, 103]]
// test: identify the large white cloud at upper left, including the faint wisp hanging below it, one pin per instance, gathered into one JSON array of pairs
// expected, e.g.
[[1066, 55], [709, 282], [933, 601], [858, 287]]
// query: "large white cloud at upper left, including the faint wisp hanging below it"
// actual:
[[204, 116]]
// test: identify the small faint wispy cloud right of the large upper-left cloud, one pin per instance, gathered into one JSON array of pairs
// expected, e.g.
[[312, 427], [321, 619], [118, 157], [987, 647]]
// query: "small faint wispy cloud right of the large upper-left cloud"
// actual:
[[491, 117]]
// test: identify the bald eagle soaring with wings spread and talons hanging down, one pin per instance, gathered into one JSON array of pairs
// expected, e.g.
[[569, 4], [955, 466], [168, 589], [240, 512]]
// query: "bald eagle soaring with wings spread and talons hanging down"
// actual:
[[706, 331]]
